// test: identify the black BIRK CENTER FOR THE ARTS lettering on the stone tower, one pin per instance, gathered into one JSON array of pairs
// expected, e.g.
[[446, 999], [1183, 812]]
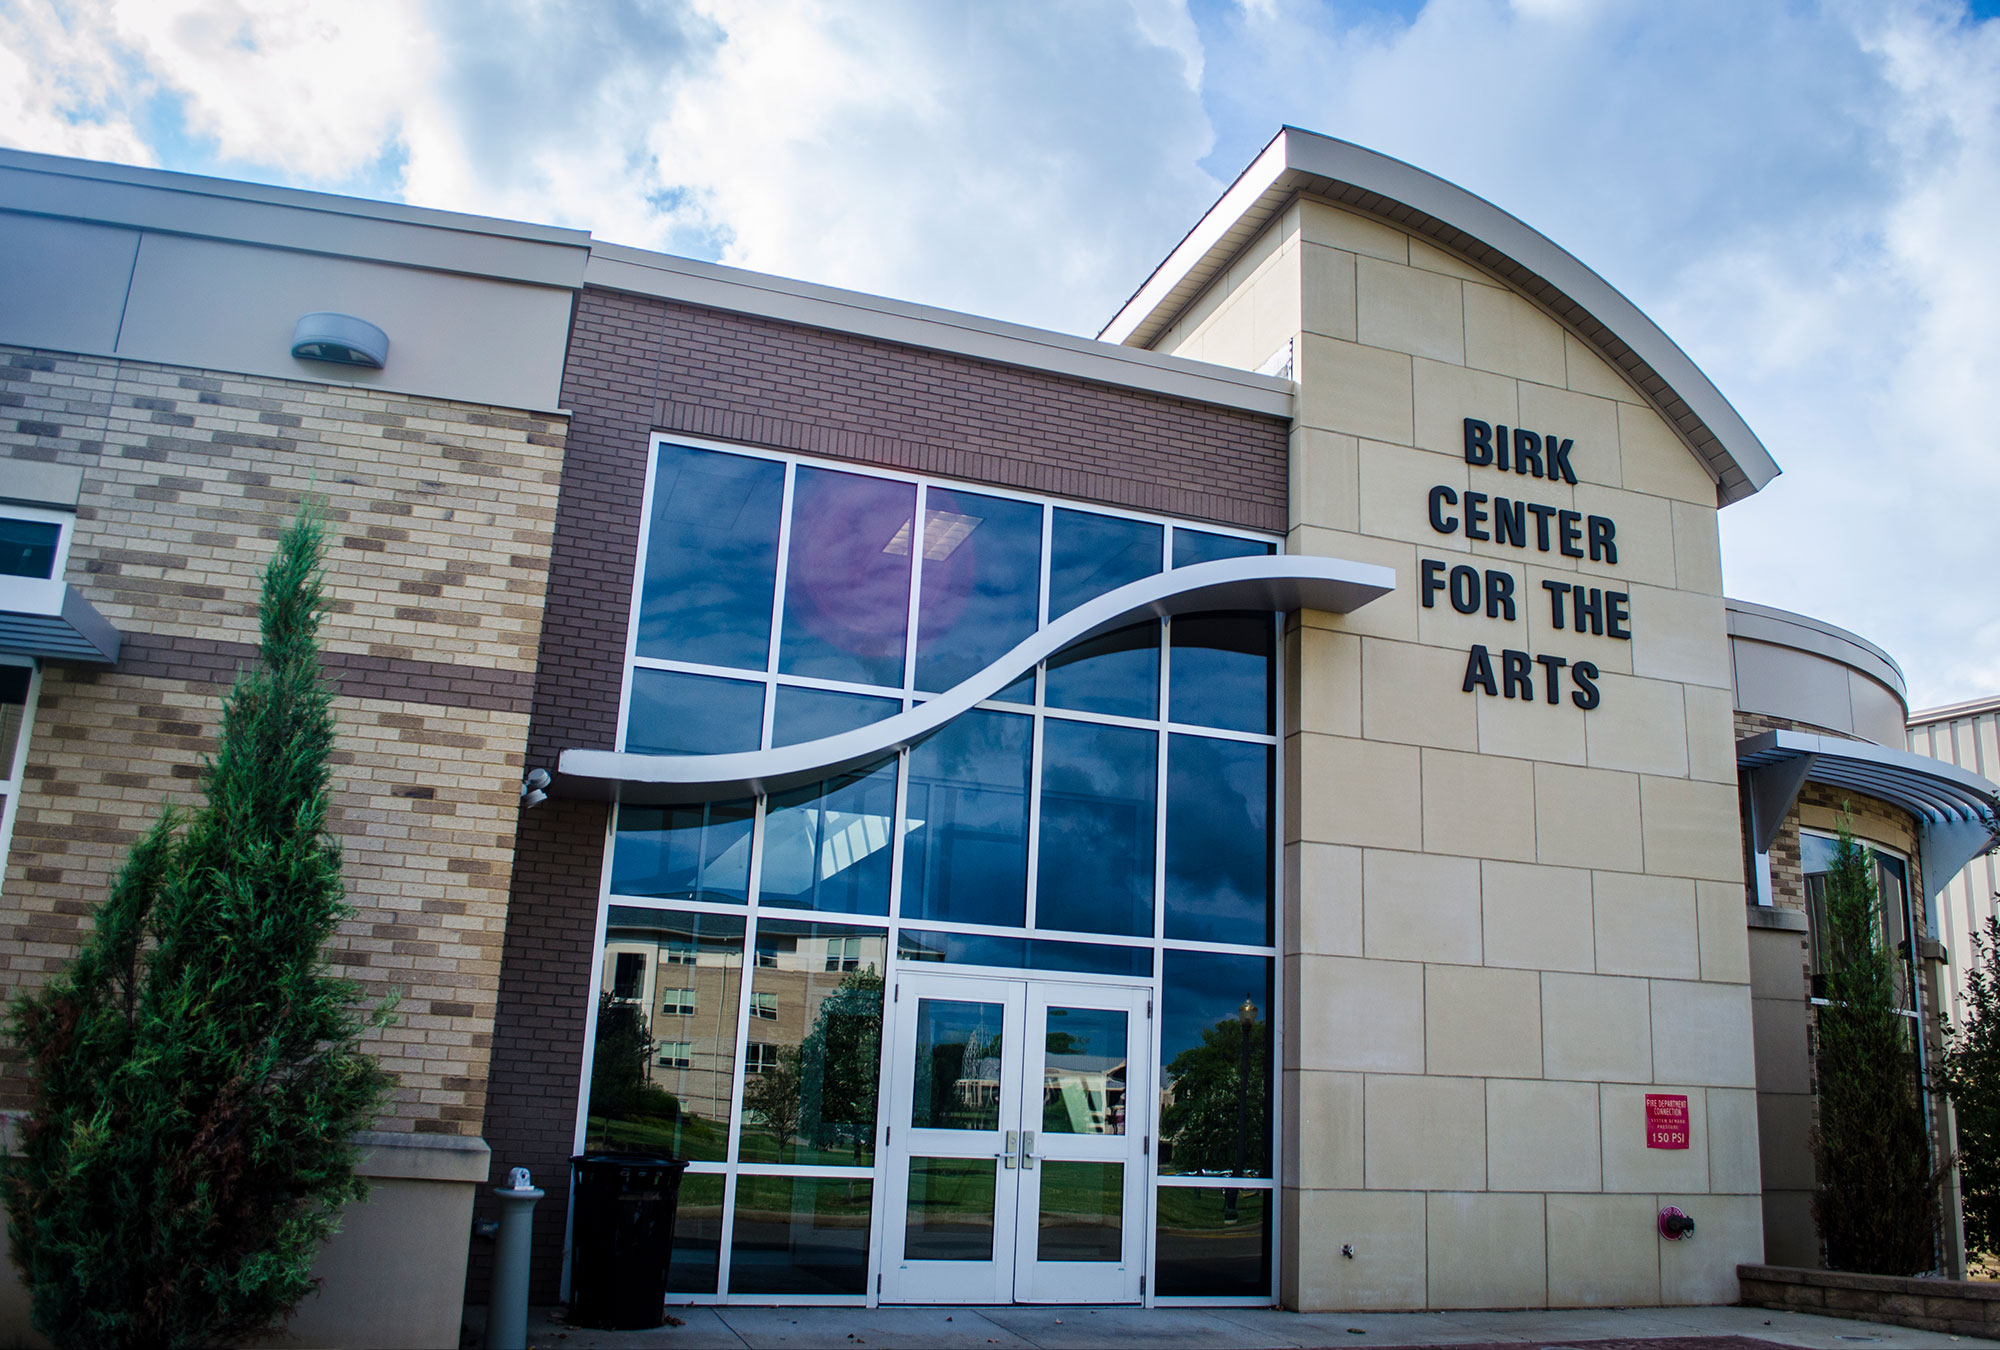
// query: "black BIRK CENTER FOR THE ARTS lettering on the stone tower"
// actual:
[[1533, 527]]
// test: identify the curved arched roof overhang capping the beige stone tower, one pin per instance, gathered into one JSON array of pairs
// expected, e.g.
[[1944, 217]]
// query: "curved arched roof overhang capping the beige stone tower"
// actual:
[[1305, 163]]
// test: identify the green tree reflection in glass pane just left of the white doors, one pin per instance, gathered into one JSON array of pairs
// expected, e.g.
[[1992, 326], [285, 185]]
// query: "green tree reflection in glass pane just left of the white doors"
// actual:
[[823, 1091]]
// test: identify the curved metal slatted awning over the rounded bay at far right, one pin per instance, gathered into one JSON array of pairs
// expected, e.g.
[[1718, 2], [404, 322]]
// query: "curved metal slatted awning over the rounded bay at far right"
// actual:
[[1959, 811]]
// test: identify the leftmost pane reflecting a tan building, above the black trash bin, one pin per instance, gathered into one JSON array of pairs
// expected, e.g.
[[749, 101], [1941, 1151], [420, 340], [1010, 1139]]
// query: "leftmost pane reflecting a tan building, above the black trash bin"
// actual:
[[665, 1055]]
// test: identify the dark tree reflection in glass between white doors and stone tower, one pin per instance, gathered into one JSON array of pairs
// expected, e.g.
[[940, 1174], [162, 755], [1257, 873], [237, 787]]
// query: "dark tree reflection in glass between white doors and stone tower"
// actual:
[[1207, 1097]]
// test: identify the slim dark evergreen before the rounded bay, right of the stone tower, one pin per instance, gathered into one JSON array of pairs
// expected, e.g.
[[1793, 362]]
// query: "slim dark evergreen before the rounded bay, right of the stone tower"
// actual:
[[1877, 1197]]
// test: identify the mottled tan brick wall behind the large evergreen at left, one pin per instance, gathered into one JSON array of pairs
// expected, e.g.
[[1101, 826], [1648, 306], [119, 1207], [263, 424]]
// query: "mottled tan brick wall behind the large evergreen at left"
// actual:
[[441, 521]]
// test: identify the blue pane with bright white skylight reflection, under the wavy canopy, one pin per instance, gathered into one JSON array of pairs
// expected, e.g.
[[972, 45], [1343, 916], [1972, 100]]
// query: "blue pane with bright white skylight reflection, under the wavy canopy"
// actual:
[[829, 847]]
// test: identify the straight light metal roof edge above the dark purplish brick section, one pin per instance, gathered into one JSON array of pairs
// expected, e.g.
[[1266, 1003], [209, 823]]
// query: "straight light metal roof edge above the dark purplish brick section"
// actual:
[[637, 271]]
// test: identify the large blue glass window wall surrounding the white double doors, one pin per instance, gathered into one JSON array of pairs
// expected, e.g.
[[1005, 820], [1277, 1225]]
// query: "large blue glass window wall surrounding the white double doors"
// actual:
[[1109, 815]]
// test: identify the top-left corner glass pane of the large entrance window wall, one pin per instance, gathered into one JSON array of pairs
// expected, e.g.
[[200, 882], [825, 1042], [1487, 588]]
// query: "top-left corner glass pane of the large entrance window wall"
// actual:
[[711, 559]]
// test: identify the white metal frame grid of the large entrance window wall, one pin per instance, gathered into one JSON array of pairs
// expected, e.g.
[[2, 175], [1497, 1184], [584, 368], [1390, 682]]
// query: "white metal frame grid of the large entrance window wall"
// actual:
[[893, 925]]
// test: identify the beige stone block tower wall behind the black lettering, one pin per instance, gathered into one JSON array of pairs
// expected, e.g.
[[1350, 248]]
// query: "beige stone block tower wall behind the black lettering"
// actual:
[[1509, 921]]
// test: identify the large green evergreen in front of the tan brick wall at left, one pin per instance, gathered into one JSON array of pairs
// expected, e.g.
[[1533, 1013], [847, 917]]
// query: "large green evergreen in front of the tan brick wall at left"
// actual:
[[197, 1069]]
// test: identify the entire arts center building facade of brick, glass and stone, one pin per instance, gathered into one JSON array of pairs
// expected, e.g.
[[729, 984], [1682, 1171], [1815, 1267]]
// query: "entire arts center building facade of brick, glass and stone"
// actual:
[[1269, 805]]
